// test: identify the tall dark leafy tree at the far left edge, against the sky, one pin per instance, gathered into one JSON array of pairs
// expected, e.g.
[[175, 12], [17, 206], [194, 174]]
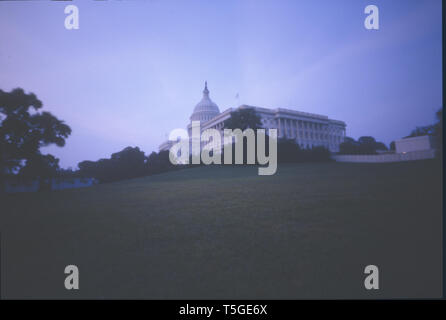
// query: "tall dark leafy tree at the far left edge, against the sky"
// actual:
[[24, 130]]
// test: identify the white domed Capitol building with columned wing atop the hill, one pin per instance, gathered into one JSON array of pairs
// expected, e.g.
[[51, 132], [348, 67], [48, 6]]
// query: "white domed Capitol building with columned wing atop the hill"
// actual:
[[308, 130]]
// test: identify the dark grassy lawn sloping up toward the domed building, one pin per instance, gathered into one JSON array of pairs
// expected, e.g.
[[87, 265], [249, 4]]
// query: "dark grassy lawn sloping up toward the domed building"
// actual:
[[225, 232]]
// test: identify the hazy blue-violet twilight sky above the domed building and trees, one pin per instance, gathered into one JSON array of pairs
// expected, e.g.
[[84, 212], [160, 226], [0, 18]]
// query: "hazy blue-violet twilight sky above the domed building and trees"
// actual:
[[135, 69]]
